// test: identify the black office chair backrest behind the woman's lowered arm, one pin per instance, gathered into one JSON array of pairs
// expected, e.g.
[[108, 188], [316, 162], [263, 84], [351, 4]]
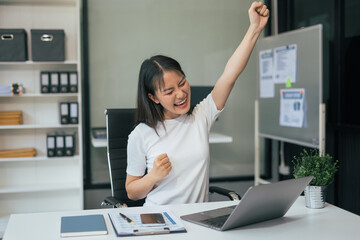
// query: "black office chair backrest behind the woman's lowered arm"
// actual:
[[119, 124]]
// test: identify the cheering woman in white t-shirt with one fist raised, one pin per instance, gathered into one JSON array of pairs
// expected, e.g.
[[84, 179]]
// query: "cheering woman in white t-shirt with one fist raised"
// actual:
[[170, 143]]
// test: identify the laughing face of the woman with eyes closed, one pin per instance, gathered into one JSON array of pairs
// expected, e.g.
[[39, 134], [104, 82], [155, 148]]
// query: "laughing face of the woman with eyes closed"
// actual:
[[174, 95]]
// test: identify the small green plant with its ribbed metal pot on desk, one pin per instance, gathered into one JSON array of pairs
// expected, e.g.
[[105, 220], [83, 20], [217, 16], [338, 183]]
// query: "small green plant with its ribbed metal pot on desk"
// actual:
[[322, 168]]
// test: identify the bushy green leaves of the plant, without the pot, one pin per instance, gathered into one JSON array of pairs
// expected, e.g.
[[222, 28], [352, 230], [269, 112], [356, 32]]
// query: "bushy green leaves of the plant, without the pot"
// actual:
[[321, 166]]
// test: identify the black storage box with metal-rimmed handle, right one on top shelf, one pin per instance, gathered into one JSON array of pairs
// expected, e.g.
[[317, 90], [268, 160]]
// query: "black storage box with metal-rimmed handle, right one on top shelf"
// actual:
[[47, 45]]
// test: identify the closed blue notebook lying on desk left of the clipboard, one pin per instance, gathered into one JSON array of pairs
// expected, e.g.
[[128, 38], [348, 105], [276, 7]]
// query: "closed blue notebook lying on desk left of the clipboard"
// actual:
[[86, 225]]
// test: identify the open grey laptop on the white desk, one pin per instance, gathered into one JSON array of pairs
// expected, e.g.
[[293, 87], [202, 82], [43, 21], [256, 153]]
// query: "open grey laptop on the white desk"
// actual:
[[259, 203]]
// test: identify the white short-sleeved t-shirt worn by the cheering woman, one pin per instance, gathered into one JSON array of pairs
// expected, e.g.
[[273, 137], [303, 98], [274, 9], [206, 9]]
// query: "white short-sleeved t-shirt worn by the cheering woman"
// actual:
[[186, 142]]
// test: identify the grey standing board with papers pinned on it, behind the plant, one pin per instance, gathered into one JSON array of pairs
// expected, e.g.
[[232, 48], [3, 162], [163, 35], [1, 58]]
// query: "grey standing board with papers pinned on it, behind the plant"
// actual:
[[309, 77]]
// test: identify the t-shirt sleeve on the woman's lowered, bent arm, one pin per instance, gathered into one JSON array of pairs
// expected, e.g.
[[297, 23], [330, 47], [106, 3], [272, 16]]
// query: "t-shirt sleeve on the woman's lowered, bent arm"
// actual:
[[136, 159]]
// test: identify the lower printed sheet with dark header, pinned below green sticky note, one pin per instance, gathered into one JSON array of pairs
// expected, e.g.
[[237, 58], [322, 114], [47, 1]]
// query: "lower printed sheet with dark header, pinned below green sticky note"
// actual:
[[293, 107]]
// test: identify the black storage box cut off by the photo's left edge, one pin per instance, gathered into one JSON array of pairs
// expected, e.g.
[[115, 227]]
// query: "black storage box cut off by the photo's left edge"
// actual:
[[13, 45]]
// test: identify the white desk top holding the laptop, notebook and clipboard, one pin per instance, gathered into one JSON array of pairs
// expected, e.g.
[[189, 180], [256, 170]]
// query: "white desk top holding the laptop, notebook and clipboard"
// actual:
[[299, 223]]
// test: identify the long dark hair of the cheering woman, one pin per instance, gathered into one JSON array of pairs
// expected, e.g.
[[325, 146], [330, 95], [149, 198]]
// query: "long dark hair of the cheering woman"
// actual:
[[150, 78]]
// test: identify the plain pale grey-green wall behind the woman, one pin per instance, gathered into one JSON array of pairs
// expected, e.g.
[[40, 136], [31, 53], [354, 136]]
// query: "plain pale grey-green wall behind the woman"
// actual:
[[201, 35]]
